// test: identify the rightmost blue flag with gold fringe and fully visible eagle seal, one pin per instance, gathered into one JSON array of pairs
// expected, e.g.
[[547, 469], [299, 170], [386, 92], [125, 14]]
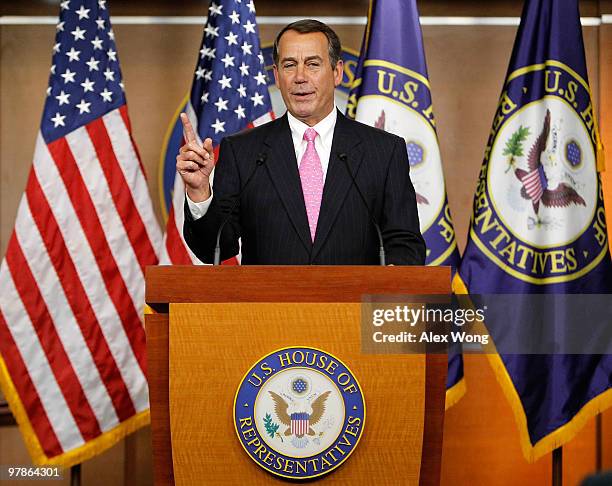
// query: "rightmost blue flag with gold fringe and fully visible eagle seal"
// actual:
[[538, 223]]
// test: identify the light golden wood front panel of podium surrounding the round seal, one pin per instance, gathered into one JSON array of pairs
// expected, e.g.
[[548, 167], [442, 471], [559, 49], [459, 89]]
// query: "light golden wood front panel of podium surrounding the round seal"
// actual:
[[390, 449]]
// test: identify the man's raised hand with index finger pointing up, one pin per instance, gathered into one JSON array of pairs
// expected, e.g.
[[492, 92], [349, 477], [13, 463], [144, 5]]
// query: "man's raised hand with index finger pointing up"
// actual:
[[195, 163]]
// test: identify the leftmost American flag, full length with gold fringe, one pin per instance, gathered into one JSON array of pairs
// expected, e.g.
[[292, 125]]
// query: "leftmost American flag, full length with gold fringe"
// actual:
[[72, 342]]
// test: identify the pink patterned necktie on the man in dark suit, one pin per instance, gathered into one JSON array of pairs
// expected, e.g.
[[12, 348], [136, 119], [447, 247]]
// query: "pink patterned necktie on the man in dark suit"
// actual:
[[311, 175]]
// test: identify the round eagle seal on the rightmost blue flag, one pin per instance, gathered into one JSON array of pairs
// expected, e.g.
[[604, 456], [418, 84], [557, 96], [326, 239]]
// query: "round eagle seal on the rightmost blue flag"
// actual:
[[538, 212]]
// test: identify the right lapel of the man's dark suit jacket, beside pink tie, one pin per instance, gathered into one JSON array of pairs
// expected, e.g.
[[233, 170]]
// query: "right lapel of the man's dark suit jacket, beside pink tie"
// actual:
[[337, 181]]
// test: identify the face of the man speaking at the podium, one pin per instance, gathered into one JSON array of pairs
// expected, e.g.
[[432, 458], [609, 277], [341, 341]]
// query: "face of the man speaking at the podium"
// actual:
[[304, 76]]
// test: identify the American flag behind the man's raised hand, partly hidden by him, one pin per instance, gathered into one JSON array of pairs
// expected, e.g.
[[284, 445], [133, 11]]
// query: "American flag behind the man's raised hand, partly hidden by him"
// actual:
[[229, 93]]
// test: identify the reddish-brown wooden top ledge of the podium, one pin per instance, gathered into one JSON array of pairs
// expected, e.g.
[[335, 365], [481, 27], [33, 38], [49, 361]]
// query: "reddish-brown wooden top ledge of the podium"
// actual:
[[302, 284]]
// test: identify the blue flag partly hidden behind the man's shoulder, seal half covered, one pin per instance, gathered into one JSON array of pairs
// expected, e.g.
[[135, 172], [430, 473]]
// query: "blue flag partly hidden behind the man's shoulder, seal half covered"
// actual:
[[391, 91]]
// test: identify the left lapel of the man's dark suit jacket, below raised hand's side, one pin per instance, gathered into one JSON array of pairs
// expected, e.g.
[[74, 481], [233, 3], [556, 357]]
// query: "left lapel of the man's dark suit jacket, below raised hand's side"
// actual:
[[283, 169]]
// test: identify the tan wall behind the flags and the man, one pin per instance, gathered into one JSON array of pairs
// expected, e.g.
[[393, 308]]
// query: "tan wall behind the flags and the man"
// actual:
[[466, 66]]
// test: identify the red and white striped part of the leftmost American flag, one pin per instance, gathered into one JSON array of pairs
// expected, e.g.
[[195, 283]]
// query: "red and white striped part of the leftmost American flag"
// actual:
[[71, 306]]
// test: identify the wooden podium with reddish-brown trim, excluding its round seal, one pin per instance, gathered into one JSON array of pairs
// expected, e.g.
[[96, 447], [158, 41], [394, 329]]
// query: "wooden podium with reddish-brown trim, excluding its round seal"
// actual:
[[208, 325]]
